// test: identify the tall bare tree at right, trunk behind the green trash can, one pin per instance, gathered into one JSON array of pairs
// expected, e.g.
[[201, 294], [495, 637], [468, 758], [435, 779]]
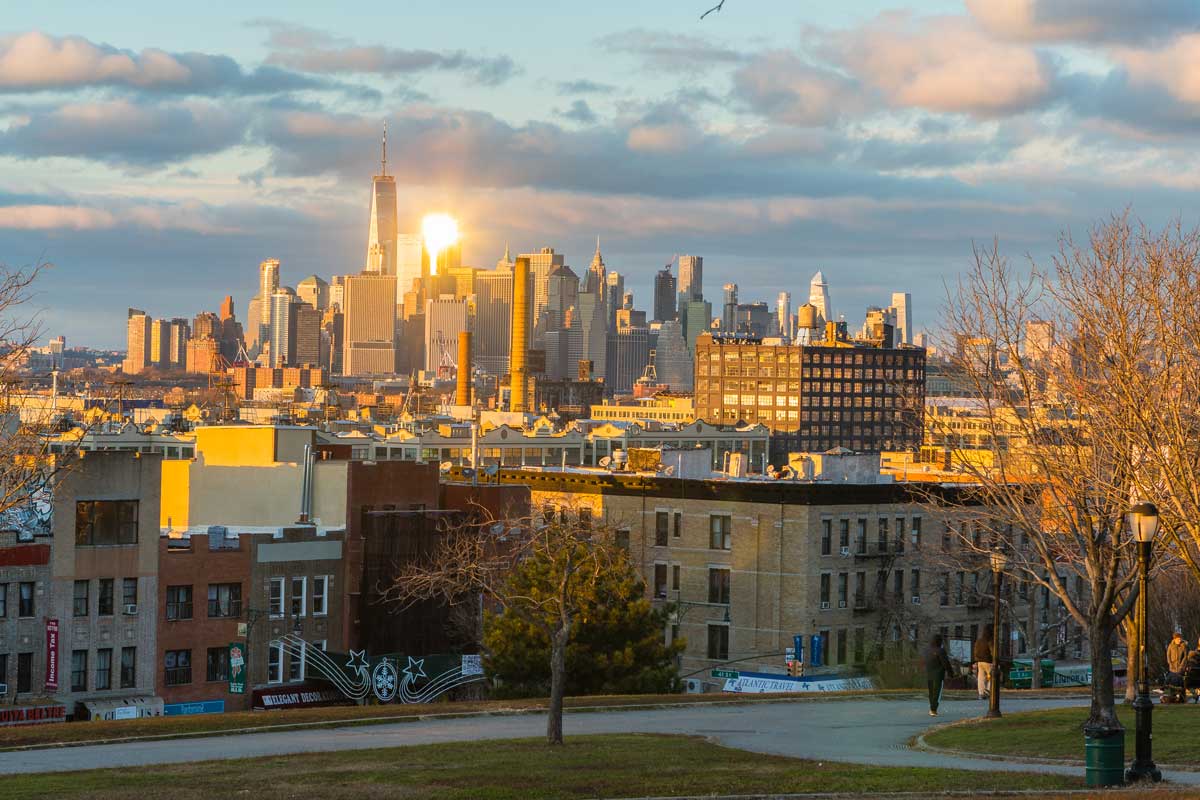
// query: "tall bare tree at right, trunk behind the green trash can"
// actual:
[[1053, 358]]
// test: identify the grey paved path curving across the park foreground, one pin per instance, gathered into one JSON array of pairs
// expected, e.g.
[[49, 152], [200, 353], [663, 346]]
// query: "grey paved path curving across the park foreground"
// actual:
[[859, 731]]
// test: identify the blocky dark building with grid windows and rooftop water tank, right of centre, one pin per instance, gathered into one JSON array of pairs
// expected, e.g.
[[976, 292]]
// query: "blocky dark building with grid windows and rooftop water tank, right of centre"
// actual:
[[836, 393]]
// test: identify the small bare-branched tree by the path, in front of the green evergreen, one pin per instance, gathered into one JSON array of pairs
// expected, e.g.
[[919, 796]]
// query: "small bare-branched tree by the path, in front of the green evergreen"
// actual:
[[477, 560]]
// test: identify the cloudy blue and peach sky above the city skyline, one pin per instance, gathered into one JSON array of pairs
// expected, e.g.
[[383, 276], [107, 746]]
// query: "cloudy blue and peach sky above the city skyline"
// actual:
[[154, 154]]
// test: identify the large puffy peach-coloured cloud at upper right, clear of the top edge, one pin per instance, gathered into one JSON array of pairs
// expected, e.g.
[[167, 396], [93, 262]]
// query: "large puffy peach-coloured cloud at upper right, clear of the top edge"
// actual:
[[944, 64]]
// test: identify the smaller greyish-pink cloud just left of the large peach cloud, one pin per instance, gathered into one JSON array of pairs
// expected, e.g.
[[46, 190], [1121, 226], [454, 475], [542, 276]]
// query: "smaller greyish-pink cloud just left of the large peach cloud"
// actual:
[[784, 88]]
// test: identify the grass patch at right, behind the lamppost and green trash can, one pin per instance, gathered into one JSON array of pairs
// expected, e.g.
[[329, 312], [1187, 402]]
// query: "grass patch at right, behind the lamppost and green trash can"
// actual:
[[1059, 735]]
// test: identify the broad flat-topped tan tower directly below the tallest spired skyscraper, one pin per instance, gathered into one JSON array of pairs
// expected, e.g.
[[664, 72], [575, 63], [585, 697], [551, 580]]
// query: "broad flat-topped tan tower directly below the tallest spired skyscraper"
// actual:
[[370, 326]]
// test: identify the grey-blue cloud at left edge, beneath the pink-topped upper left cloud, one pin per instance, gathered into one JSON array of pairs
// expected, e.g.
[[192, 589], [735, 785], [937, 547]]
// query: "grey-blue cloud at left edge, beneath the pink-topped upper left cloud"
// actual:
[[125, 133]]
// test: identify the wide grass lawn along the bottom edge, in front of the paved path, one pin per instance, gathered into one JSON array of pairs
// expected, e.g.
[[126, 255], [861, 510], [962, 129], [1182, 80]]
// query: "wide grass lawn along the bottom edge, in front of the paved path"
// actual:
[[587, 767]]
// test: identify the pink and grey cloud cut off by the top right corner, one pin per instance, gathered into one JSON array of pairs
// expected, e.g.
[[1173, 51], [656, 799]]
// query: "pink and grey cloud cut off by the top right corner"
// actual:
[[1085, 21]]
